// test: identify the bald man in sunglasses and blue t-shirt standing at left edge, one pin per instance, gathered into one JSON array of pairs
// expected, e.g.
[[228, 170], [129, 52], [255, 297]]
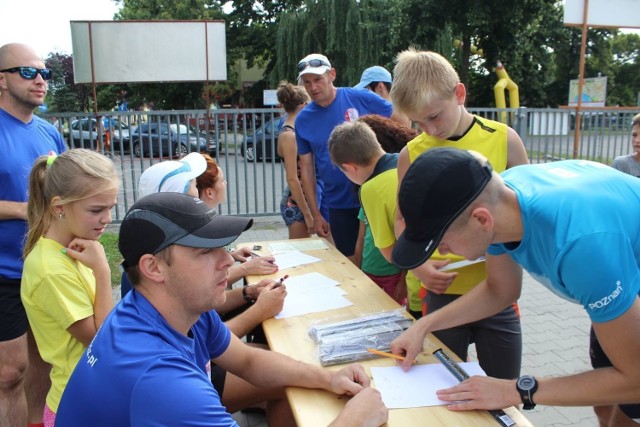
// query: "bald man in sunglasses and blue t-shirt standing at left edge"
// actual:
[[23, 138]]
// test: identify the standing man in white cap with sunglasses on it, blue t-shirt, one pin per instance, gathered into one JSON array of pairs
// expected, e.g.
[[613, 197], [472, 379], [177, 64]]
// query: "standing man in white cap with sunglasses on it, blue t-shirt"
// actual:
[[330, 107]]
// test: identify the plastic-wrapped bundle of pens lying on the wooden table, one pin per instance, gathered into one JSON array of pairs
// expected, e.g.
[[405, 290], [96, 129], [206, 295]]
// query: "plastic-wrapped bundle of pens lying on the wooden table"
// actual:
[[349, 340]]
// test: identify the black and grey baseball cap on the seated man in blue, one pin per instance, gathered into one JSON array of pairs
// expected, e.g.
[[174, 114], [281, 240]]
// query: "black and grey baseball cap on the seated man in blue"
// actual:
[[163, 219]]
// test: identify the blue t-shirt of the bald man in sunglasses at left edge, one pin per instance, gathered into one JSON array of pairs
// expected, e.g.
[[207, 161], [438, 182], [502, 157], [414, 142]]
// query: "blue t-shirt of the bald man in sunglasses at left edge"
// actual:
[[22, 143]]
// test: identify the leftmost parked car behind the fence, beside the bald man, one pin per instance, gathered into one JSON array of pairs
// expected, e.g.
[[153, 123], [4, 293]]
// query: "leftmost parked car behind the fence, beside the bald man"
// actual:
[[84, 133]]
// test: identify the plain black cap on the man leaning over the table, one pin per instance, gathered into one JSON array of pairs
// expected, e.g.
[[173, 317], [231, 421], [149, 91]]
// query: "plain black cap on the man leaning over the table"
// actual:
[[438, 186]]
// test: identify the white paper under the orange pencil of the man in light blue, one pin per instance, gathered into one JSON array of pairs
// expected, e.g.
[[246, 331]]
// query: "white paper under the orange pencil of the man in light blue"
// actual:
[[417, 387]]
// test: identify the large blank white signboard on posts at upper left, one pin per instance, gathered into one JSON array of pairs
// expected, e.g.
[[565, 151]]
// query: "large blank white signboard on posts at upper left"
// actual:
[[148, 51]]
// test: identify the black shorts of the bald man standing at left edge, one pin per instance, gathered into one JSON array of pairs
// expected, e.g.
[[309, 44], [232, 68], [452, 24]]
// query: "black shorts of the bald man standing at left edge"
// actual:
[[13, 318]]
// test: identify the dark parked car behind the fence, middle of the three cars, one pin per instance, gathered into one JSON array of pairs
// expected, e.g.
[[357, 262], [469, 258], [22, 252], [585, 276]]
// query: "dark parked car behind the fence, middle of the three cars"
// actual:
[[153, 139]]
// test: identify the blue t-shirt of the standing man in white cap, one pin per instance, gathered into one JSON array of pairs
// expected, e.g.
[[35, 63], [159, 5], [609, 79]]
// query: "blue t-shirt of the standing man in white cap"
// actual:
[[314, 125]]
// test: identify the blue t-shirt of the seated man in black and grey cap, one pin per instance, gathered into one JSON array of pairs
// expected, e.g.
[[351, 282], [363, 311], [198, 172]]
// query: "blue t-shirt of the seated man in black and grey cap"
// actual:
[[139, 371]]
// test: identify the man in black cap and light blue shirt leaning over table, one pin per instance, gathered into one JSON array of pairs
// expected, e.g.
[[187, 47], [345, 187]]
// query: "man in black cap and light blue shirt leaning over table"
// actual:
[[573, 225]]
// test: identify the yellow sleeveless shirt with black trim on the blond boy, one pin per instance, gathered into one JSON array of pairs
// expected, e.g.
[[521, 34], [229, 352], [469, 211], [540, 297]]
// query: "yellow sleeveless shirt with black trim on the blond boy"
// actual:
[[488, 138]]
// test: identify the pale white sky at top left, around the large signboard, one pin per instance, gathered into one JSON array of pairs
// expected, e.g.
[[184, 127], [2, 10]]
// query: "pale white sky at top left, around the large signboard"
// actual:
[[44, 24]]
